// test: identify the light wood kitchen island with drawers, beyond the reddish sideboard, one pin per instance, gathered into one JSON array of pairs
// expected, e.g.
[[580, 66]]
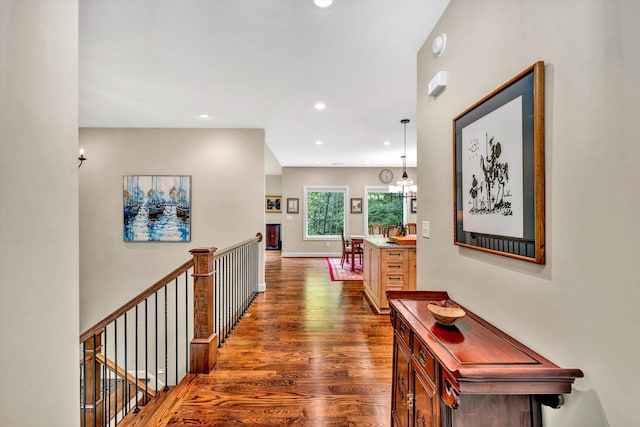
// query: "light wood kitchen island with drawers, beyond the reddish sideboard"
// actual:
[[387, 267]]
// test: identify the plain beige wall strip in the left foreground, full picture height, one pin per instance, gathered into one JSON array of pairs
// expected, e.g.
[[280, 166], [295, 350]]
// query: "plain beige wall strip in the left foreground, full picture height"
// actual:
[[39, 357]]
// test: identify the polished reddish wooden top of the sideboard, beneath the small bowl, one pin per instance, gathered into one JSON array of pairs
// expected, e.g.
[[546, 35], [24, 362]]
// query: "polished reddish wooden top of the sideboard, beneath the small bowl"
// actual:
[[476, 352]]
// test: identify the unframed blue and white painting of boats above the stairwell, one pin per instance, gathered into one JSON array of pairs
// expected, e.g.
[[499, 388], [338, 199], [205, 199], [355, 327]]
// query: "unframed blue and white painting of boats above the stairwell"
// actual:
[[157, 208]]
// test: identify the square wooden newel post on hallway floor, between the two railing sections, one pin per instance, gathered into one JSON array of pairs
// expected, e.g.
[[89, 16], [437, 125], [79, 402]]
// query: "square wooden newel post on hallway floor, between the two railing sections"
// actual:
[[204, 345]]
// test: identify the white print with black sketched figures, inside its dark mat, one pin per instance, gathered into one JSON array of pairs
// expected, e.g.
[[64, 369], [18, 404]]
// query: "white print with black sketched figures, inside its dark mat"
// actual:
[[492, 172]]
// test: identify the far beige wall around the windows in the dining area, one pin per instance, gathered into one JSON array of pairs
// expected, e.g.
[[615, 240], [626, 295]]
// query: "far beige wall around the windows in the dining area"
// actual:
[[293, 182]]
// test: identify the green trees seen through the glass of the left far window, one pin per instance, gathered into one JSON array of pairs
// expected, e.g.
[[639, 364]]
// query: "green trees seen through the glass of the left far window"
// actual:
[[325, 213]]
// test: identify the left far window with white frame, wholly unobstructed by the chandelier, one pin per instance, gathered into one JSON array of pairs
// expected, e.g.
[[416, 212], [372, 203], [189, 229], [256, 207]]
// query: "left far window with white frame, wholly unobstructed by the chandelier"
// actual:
[[324, 212]]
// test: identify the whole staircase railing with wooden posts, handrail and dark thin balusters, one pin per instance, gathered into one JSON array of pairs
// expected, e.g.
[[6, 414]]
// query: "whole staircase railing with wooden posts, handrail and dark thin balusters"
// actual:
[[147, 346]]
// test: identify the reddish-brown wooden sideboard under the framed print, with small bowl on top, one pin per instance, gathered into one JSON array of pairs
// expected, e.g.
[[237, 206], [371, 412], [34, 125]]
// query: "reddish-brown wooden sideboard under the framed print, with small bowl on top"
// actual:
[[468, 374]]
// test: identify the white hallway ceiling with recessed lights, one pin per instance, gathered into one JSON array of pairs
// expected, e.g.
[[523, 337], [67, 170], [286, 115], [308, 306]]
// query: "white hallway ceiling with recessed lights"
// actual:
[[261, 64]]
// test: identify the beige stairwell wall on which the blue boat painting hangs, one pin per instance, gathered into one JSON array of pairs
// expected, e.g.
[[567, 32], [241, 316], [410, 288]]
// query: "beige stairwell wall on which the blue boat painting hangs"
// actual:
[[228, 182]]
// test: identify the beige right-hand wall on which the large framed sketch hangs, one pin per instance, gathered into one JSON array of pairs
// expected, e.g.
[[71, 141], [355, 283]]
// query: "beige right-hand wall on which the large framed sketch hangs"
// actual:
[[580, 309]]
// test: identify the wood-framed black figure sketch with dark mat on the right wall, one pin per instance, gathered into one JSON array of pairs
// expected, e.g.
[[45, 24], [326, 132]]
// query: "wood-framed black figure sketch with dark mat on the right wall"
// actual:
[[498, 182]]
